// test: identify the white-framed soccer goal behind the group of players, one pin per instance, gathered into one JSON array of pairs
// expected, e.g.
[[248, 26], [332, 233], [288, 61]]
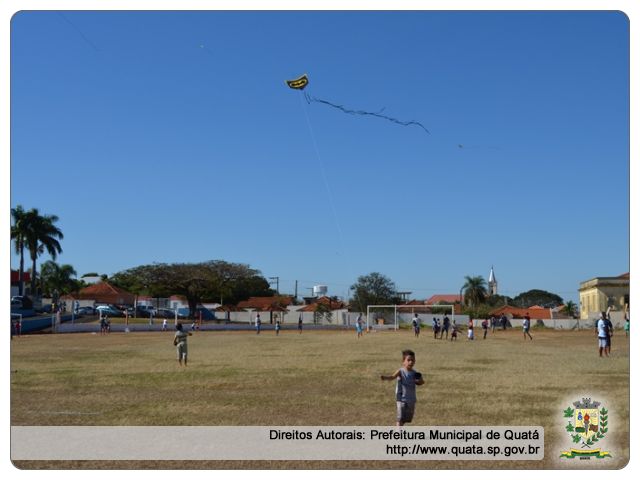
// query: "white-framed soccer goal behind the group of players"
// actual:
[[387, 317]]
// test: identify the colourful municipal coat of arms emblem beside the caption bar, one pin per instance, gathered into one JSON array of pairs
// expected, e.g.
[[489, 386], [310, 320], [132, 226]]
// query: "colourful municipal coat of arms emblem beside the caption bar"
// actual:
[[587, 424]]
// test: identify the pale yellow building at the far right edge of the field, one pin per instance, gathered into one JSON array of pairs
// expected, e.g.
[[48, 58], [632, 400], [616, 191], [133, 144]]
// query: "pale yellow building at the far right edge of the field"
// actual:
[[600, 293]]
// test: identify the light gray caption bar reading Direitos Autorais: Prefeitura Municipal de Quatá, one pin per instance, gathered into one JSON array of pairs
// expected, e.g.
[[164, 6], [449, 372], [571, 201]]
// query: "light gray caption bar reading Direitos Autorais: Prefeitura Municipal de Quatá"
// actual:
[[278, 443]]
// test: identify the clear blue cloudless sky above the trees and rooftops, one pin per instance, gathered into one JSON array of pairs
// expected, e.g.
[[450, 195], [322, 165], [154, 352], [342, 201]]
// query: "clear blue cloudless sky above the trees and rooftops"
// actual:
[[172, 137]]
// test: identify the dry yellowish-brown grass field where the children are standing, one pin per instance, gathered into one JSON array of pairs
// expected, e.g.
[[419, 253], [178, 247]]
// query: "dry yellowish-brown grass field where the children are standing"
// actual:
[[317, 378]]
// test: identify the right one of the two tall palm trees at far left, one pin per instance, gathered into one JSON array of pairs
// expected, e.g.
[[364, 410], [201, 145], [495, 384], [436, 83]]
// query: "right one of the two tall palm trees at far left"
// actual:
[[41, 235]]
